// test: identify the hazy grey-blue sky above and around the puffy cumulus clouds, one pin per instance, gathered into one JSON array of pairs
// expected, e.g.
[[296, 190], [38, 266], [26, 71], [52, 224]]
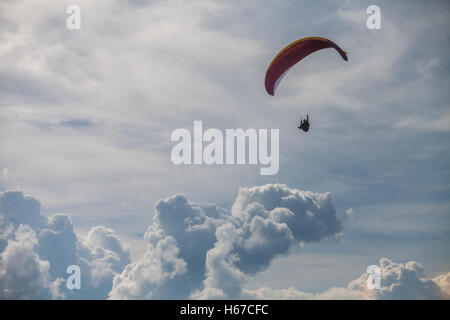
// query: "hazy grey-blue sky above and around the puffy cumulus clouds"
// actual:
[[86, 117]]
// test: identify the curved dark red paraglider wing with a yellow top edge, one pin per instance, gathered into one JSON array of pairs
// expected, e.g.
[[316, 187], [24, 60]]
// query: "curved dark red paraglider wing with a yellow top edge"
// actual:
[[292, 54]]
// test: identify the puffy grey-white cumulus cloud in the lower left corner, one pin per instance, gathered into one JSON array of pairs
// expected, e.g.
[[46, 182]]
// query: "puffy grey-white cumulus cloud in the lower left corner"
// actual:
[[47, 247]]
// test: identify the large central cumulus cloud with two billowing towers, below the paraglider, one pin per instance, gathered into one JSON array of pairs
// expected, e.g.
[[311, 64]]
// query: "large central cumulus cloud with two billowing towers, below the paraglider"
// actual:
[[220, 249]]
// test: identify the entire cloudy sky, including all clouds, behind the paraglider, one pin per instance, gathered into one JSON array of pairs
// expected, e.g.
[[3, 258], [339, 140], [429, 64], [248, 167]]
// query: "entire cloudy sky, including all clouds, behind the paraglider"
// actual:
[[85, 123]]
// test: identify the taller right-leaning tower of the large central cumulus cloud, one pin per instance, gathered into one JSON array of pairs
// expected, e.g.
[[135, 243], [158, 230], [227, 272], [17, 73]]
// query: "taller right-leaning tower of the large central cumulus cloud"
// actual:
[[266, 221]]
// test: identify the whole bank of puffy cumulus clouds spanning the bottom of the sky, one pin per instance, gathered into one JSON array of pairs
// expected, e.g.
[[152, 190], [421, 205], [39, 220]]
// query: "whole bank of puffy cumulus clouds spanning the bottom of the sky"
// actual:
[[198, 251]]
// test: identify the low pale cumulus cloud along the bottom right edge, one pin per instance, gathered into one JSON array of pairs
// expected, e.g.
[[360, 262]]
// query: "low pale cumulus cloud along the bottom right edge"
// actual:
[[398, 281]]
